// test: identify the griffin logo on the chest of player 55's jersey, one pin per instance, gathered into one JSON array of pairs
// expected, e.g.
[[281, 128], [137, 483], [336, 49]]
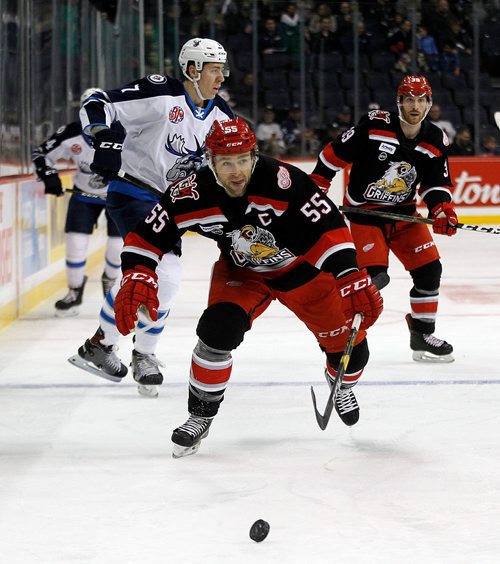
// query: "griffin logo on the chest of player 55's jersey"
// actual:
[[257, 247]]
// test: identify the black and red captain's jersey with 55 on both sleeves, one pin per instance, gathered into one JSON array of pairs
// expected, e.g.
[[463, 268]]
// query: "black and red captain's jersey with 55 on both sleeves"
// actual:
[[283, 225]]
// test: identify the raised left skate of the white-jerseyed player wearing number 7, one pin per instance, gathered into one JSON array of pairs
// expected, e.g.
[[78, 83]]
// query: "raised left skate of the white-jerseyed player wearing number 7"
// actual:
[[99, 359]]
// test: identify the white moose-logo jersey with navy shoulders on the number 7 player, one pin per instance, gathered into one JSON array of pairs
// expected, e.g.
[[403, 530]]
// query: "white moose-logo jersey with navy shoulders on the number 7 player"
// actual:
[[166, 132]]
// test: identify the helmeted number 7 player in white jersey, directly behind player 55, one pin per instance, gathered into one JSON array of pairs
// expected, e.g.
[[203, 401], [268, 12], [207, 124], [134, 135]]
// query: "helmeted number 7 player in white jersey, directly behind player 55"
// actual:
[[166, 122]]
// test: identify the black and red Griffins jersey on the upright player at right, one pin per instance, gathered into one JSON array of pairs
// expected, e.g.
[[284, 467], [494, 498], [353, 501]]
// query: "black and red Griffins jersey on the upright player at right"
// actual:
[[388, 169]]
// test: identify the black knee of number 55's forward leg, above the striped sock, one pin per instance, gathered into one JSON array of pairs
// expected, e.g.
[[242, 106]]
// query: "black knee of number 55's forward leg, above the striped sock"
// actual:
[[223, 325]]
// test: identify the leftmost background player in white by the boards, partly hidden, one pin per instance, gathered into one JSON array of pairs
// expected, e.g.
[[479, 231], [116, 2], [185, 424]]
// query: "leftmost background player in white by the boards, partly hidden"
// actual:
[[84, 208]]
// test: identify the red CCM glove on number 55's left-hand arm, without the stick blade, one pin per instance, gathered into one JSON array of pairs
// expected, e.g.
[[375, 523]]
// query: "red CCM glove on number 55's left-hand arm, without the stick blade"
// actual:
[[138, 287]]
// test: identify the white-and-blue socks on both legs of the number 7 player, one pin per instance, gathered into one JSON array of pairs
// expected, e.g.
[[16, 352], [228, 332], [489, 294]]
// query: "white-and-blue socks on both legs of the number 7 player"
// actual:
[[148, 332]]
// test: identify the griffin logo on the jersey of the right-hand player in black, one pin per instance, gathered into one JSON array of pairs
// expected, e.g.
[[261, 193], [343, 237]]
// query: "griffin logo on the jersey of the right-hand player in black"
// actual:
[[395, 185]]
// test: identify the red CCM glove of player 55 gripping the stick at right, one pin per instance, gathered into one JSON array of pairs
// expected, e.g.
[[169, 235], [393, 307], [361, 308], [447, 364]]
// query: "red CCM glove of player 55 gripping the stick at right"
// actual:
[[359, 295]]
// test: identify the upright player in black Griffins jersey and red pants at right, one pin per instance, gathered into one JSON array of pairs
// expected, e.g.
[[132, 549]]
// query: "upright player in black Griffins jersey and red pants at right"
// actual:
[[392, 155]]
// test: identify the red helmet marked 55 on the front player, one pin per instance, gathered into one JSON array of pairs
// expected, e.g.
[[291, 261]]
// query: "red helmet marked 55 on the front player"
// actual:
[[230, 137]]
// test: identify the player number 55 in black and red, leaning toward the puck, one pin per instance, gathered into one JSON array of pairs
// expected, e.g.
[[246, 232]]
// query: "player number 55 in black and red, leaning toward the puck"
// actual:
[[280, 238]]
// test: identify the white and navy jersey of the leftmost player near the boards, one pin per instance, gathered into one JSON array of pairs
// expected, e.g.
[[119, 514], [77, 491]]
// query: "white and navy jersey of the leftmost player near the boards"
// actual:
[[68, 143]]
